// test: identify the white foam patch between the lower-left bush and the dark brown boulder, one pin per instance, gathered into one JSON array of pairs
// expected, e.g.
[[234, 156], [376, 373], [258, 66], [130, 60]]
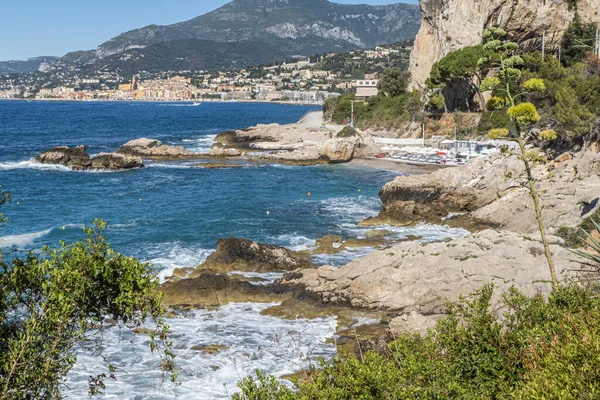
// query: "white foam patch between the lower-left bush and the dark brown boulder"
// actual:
[[170, 256]]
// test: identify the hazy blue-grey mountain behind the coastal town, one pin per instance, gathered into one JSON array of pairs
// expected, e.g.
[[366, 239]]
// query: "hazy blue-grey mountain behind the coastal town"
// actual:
[[250, 32]]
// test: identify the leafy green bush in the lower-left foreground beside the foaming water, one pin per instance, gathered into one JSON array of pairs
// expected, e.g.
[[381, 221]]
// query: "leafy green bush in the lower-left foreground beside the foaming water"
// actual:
[[48, 302]]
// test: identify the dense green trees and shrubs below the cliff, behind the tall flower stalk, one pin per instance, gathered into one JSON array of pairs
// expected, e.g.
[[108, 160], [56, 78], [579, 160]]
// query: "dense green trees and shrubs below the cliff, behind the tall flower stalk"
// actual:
[[568, 103]]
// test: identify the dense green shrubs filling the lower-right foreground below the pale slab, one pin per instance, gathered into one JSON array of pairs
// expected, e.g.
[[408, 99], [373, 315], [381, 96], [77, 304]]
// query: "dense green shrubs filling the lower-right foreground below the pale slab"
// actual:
[[541, 349]]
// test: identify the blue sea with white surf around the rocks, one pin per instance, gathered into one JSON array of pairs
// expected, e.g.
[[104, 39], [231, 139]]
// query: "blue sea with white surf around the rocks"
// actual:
[[171, 214]]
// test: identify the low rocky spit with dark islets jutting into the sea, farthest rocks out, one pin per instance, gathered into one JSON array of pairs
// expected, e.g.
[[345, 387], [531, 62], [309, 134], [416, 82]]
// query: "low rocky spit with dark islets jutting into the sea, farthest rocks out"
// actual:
[[308, 142]]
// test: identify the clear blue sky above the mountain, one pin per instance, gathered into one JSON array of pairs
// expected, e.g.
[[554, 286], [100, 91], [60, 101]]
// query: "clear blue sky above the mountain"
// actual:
[[31, 28]]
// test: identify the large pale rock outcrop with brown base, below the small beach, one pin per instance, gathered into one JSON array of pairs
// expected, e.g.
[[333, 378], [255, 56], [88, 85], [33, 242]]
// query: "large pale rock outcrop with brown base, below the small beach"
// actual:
[[489, 191]]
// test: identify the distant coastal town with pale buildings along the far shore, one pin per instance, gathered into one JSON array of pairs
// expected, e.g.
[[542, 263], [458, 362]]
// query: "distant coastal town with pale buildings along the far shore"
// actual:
[[300, 80]]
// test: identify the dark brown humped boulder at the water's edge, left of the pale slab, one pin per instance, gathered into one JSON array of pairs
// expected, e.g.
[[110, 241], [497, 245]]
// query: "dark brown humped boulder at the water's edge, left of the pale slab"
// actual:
[[245, 255]]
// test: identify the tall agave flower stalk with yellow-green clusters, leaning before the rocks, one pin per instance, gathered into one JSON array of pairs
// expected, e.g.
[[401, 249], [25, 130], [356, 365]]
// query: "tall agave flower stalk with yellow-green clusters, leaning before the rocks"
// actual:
[[509, 92]]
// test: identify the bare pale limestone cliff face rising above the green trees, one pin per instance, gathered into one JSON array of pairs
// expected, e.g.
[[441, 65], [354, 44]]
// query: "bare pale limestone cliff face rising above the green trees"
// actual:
[[449, 25]]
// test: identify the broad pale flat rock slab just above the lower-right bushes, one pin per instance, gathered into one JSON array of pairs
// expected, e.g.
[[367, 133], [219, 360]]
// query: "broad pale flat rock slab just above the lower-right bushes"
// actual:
[[423, 277]]
